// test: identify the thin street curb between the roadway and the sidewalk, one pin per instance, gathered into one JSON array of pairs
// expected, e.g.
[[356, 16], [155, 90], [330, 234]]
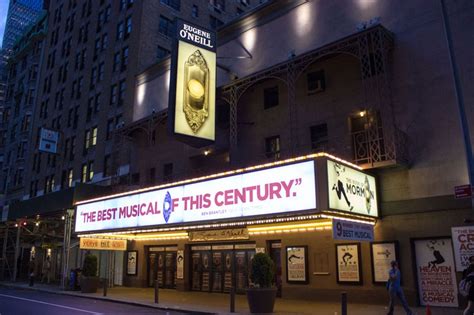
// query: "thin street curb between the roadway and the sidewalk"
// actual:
[[108, 299]]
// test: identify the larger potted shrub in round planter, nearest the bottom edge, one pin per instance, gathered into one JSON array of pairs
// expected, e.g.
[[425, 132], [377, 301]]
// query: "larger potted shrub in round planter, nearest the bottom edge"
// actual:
[[261, 296]]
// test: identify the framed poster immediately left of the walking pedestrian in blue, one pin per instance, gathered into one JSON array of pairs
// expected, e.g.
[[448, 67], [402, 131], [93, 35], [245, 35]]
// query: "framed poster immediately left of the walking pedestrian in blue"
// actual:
[[382, 253]]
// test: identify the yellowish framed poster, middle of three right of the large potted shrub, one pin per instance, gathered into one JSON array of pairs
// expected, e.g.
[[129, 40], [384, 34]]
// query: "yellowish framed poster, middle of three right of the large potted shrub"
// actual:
[[348, 263]]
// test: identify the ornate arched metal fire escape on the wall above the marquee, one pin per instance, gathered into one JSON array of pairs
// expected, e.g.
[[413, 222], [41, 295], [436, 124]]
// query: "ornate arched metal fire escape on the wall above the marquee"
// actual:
[[380, 143]]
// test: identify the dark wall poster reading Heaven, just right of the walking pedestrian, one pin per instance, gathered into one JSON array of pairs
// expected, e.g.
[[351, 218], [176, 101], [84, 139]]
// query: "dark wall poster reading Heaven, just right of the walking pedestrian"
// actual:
[[436, 272]]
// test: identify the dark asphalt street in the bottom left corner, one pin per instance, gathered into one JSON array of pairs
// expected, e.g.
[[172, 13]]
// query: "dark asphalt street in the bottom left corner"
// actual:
[[14, 302]]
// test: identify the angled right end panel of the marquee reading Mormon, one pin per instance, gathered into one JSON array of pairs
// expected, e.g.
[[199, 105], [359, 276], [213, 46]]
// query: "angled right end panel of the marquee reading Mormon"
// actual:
[[351, 190]]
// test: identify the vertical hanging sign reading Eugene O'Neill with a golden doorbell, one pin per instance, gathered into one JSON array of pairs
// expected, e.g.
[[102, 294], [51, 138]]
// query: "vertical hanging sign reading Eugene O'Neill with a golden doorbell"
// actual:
[[193, 84]]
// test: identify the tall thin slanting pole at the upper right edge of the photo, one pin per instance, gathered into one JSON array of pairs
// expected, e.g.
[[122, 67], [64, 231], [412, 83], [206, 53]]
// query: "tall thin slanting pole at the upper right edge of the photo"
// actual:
[[460, 99]]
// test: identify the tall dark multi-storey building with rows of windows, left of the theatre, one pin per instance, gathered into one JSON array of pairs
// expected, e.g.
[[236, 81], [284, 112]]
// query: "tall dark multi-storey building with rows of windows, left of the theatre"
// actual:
[[91, 53]]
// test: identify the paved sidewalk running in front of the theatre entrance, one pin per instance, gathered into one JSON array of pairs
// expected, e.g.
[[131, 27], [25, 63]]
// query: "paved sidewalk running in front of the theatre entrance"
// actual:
[[214, 303]]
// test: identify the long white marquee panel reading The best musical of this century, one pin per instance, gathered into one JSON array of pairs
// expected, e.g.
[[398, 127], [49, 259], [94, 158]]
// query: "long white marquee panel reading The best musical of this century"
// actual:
[[275, 190]]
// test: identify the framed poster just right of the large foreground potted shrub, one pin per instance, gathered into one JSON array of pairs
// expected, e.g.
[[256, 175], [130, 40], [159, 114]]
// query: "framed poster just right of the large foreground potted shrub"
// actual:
[[297, 264]]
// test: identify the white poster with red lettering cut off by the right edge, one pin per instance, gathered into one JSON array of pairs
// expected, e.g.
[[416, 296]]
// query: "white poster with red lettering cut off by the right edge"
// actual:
[[463, 243]]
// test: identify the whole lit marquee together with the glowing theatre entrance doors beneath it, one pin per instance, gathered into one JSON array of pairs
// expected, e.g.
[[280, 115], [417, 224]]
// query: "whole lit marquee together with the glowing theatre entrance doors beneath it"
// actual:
[[201, 234]]
